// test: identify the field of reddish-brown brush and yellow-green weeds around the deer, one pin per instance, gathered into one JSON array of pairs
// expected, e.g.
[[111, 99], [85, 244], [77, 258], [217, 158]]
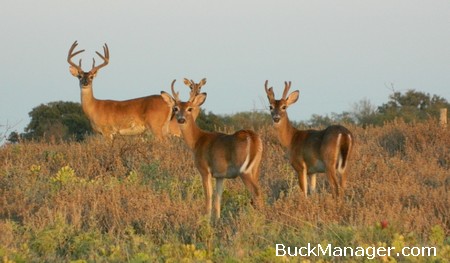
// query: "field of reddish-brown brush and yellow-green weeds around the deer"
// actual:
[[138, 200]]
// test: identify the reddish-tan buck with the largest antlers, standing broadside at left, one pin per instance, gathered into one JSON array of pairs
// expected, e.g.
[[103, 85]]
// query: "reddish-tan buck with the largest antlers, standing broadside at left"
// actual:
[[109, 117]]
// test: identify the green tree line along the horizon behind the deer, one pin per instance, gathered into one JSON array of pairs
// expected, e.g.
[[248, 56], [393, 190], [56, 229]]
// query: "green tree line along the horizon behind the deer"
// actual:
[[66, 121]]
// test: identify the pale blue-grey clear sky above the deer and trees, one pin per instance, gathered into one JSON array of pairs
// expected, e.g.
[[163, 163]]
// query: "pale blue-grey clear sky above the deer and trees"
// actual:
[[336, 53]]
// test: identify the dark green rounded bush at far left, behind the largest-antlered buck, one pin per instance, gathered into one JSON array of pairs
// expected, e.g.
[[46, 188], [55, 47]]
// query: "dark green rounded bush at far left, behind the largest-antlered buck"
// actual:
[[58, 120]]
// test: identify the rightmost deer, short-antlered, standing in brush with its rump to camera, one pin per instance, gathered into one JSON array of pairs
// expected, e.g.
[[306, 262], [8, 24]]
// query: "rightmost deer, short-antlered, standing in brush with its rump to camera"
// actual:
[[311, 151]]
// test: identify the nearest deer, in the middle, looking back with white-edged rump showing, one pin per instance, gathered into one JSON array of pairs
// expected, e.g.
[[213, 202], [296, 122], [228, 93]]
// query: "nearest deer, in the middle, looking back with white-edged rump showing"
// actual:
[[217, 155]]
